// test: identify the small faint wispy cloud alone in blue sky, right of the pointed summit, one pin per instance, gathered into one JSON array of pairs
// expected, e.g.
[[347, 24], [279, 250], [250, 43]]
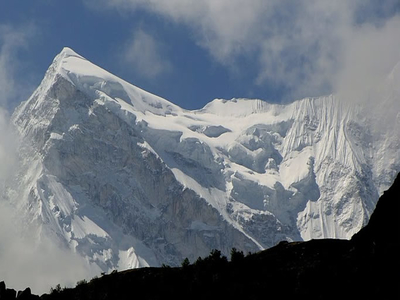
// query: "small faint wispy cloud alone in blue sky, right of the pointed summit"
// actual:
[[143, 54]]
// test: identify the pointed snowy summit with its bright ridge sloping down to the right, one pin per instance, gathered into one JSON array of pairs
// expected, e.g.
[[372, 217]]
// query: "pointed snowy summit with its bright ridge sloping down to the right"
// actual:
[[97, 83]]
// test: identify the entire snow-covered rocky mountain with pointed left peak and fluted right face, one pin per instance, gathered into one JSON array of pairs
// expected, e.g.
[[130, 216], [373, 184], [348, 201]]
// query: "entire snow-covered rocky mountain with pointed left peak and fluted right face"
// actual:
[[128, 179]]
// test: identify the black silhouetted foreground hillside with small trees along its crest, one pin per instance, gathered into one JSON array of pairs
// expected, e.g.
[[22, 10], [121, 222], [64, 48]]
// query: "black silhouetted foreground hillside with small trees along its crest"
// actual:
[[366, 266]]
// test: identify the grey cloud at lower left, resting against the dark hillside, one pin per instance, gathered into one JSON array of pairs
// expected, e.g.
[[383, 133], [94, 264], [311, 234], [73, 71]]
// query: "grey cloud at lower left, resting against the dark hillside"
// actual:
[[29, 260]]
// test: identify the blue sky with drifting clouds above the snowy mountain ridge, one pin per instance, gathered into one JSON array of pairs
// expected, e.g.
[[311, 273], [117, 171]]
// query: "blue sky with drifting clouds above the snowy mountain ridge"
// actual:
[[191, 52]]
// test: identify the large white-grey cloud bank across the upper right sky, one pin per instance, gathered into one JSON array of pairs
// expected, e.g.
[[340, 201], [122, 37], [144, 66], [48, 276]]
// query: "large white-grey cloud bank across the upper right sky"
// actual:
[[299, 45]]
